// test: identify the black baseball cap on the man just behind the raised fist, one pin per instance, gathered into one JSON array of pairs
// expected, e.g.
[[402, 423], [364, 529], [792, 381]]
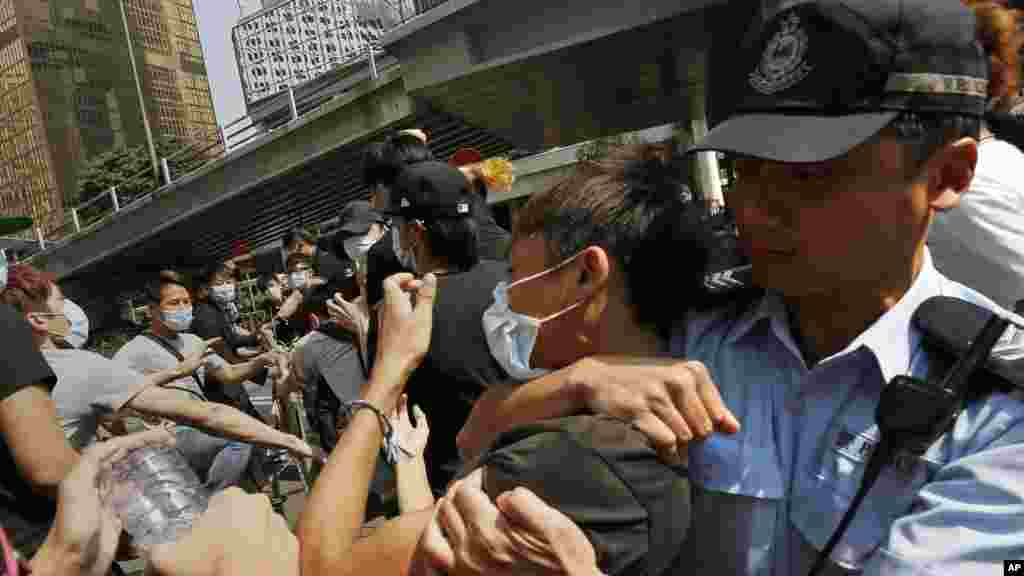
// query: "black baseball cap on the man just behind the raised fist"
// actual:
[[430, 191]]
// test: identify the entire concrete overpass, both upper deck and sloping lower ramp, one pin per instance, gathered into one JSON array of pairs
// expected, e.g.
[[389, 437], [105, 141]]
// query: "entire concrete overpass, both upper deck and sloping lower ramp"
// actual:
[[484, 73]]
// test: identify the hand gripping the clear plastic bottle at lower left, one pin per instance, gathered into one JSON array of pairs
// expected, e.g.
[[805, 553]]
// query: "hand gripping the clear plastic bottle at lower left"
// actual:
[[86, 534]]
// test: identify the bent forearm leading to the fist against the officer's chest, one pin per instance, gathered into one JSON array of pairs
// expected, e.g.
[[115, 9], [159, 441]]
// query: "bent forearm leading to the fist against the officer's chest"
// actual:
[[503, 407]]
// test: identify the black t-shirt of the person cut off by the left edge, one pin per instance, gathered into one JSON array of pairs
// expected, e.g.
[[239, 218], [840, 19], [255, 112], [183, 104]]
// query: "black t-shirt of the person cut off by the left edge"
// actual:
[[25, 516]]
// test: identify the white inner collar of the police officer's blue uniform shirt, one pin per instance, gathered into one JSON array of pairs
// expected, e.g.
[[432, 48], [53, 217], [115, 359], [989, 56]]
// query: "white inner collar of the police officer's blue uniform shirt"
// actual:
[[892, 339]]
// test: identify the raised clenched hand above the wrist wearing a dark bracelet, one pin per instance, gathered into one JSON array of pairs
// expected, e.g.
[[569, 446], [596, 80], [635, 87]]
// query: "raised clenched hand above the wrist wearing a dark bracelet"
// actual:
[[404, 328]]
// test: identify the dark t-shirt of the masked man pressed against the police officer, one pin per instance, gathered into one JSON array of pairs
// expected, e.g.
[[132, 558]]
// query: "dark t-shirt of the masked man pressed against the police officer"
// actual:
[[602, 474]]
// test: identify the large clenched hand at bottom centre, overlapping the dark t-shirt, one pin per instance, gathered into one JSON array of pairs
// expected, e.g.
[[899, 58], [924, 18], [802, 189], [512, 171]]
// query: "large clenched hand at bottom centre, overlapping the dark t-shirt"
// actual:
[[519, 534]]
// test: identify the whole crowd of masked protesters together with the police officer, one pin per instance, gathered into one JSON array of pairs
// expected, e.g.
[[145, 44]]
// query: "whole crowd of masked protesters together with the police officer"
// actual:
[[572, 396]]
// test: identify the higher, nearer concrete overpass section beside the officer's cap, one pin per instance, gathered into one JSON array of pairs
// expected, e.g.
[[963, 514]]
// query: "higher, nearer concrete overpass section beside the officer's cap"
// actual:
[[543, 74]]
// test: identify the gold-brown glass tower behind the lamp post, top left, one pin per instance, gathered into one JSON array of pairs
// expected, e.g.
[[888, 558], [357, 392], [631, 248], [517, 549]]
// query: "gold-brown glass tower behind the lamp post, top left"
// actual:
[[68, 93]]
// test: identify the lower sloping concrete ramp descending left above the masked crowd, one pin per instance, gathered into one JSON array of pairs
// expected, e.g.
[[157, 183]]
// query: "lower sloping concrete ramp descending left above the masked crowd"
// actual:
[[300, 175]]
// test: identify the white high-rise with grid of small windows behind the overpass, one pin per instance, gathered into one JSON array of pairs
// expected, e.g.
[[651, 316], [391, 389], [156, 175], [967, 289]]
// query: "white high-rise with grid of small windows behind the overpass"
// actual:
[[292, 42]]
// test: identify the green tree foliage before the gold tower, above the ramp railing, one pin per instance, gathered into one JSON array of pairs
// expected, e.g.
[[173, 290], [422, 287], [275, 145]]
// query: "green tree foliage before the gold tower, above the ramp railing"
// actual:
[[131, 170]]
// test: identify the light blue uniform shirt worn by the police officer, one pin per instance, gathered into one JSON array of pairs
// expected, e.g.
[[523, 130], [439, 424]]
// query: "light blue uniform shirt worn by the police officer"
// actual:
[[767, 500]]
